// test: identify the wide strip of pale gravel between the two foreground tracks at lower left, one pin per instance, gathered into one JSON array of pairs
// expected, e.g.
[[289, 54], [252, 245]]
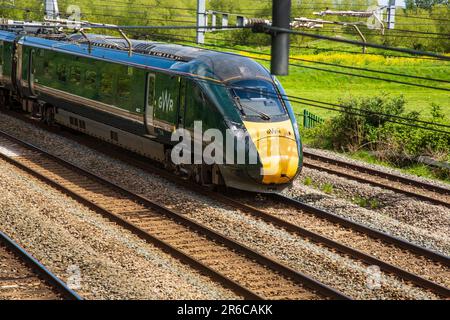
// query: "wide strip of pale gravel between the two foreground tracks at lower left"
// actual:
[[71, 241]]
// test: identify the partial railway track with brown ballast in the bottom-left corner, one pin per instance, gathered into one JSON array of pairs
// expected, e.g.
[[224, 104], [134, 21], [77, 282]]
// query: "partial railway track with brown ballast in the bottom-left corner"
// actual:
[[22, 277]]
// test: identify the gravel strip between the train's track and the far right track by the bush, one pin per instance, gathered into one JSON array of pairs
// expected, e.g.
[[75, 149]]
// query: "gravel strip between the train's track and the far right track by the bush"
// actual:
[[416, 221]]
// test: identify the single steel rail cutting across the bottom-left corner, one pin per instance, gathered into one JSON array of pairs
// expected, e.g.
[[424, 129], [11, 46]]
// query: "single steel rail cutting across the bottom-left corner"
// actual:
[[39, 268]]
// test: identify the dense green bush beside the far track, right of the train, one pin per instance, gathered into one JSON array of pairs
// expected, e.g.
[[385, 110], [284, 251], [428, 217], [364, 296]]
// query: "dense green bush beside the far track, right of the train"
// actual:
[[365, 126]]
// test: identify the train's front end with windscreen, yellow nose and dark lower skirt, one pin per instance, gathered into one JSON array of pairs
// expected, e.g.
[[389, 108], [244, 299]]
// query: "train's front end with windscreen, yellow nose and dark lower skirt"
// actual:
[[272, 133]]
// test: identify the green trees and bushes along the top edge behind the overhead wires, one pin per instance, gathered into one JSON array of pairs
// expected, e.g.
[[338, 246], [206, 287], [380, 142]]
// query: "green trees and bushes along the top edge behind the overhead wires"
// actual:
[[420, 16]]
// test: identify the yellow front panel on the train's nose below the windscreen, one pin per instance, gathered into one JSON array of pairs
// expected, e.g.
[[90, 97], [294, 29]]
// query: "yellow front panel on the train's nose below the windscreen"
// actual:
[[277, 149]]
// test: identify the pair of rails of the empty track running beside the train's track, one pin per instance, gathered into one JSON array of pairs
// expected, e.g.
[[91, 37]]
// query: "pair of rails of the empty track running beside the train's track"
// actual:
[[252, 254]]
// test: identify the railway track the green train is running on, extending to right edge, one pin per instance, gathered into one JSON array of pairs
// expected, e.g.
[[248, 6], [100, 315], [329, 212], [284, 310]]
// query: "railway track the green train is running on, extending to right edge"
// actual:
[[383, 246]]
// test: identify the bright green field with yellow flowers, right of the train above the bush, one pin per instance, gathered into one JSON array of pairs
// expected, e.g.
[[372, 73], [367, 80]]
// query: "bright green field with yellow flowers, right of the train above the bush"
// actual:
[[331, 87]]
